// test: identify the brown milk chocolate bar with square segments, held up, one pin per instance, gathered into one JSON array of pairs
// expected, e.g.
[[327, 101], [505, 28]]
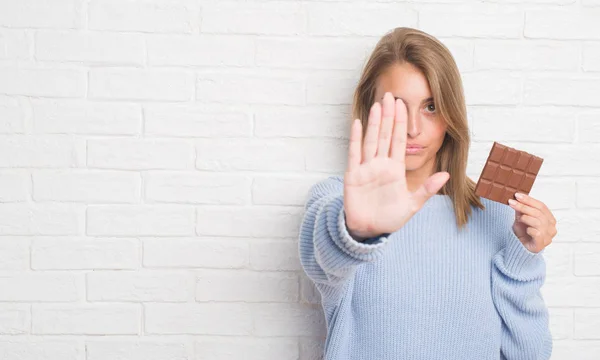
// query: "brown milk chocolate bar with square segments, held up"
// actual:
[[506, 172]]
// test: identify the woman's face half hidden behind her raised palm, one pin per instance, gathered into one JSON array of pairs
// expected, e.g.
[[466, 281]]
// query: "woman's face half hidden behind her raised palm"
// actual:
[[425, 127]]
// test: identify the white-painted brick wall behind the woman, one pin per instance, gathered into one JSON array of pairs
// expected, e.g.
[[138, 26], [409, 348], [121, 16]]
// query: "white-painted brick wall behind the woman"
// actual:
[[155, 156]]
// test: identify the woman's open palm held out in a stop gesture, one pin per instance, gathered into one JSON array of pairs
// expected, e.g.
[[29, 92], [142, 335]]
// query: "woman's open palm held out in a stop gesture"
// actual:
[[376, 197]]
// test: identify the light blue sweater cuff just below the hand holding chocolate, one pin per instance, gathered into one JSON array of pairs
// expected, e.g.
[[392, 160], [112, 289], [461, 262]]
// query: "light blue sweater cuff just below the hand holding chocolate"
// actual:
[[521, 263]]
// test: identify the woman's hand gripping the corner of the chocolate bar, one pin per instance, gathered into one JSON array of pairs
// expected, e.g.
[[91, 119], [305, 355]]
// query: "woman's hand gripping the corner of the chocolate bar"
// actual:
[[534, 223]]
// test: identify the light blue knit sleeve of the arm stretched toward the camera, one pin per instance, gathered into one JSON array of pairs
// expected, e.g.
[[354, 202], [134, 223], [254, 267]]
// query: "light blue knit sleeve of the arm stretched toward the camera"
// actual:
[[328, 253]]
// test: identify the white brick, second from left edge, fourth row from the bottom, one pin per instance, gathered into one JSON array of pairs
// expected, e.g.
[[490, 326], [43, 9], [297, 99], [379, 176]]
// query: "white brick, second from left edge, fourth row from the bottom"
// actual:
[[73, 253]]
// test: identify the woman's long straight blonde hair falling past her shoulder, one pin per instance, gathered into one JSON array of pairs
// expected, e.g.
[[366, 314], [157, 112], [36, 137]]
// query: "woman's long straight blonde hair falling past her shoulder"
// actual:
[[434, 60]]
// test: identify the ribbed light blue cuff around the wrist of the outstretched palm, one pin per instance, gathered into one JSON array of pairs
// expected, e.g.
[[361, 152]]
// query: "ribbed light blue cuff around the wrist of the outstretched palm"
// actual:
[[336, 223]]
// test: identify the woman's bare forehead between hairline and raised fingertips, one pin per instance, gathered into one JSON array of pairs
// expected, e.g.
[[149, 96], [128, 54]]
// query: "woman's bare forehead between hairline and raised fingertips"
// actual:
[[404, 81]]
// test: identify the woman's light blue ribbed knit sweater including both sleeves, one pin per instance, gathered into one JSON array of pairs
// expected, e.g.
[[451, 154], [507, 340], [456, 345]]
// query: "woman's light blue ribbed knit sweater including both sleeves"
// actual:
[[427, 291]]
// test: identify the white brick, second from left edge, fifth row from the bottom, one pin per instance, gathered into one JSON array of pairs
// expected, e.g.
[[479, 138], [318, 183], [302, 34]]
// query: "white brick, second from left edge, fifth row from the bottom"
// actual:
[[140, 220]]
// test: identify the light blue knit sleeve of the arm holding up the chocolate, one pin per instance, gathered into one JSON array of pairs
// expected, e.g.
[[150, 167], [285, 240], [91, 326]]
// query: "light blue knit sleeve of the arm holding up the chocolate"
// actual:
[[517, 277]]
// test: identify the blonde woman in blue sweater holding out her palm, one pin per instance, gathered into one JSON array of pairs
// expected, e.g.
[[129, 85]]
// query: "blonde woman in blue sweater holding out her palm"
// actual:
[[409, 262]]
